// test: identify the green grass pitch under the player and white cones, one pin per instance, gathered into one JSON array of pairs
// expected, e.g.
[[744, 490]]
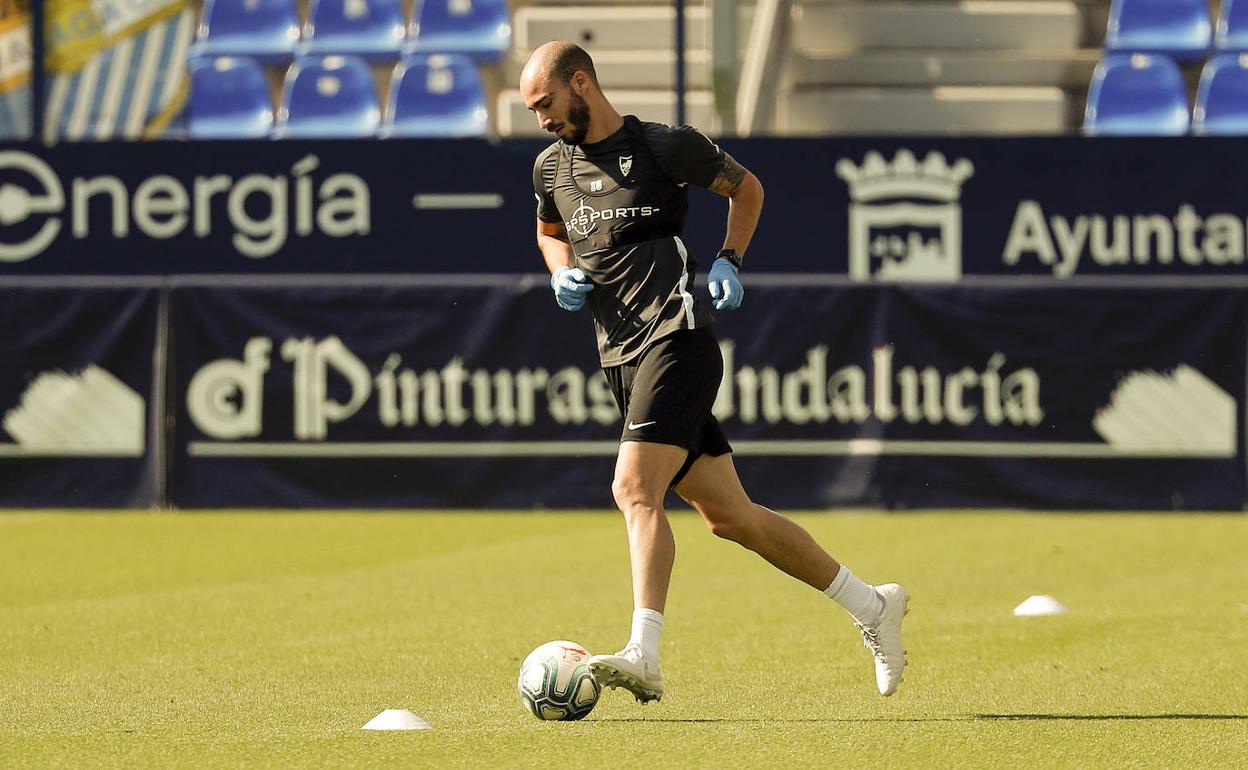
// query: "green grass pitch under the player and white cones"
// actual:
[[269, 640]]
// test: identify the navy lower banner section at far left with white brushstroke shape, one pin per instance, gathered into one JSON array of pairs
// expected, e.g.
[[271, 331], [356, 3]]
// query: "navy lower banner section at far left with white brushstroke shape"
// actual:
[[79, 394]]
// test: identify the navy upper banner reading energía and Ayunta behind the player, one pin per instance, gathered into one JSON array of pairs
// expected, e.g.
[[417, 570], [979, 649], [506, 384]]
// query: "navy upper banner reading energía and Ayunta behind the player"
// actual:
[[874, 212]]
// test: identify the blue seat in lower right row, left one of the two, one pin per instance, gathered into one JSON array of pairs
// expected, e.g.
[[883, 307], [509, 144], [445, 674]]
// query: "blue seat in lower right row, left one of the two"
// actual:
[[1136, 95]]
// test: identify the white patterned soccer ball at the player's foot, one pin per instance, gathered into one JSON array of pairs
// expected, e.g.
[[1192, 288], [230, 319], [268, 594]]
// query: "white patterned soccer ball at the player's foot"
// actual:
[[556, 683]]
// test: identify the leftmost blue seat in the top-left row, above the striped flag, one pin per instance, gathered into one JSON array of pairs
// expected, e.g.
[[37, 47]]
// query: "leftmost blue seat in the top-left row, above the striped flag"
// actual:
[[264, 29]]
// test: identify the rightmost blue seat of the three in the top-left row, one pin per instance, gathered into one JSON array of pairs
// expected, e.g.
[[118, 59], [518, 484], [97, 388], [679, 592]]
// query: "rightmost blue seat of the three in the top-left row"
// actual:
[[481, 29]]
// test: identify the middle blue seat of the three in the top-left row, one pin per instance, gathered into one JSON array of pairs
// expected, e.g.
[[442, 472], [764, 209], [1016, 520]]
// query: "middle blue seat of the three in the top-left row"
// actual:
[[374, 29]]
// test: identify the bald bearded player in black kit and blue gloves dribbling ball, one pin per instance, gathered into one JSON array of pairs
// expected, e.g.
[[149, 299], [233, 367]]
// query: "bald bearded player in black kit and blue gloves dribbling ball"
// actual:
[[611, 208]]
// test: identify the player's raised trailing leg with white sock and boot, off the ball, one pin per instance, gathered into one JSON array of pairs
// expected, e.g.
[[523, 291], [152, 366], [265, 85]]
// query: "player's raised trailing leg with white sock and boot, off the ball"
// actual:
[[714, 490]]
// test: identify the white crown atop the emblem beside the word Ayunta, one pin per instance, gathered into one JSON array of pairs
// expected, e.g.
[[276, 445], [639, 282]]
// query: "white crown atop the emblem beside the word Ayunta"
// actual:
[[905, 178]]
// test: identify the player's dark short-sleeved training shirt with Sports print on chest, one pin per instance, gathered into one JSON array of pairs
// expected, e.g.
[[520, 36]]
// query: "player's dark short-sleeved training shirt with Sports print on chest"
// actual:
[[623, 202]]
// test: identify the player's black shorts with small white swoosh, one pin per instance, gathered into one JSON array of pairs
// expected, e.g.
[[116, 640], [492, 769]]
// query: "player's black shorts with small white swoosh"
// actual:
[[667, 395]]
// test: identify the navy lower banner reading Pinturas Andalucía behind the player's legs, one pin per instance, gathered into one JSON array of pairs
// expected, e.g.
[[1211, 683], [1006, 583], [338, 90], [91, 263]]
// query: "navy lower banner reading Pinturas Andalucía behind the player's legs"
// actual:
[[480, 392]]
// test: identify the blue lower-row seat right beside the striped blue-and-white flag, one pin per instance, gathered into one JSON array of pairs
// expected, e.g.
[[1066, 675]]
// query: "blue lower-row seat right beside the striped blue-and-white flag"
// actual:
[[229, 99]]
